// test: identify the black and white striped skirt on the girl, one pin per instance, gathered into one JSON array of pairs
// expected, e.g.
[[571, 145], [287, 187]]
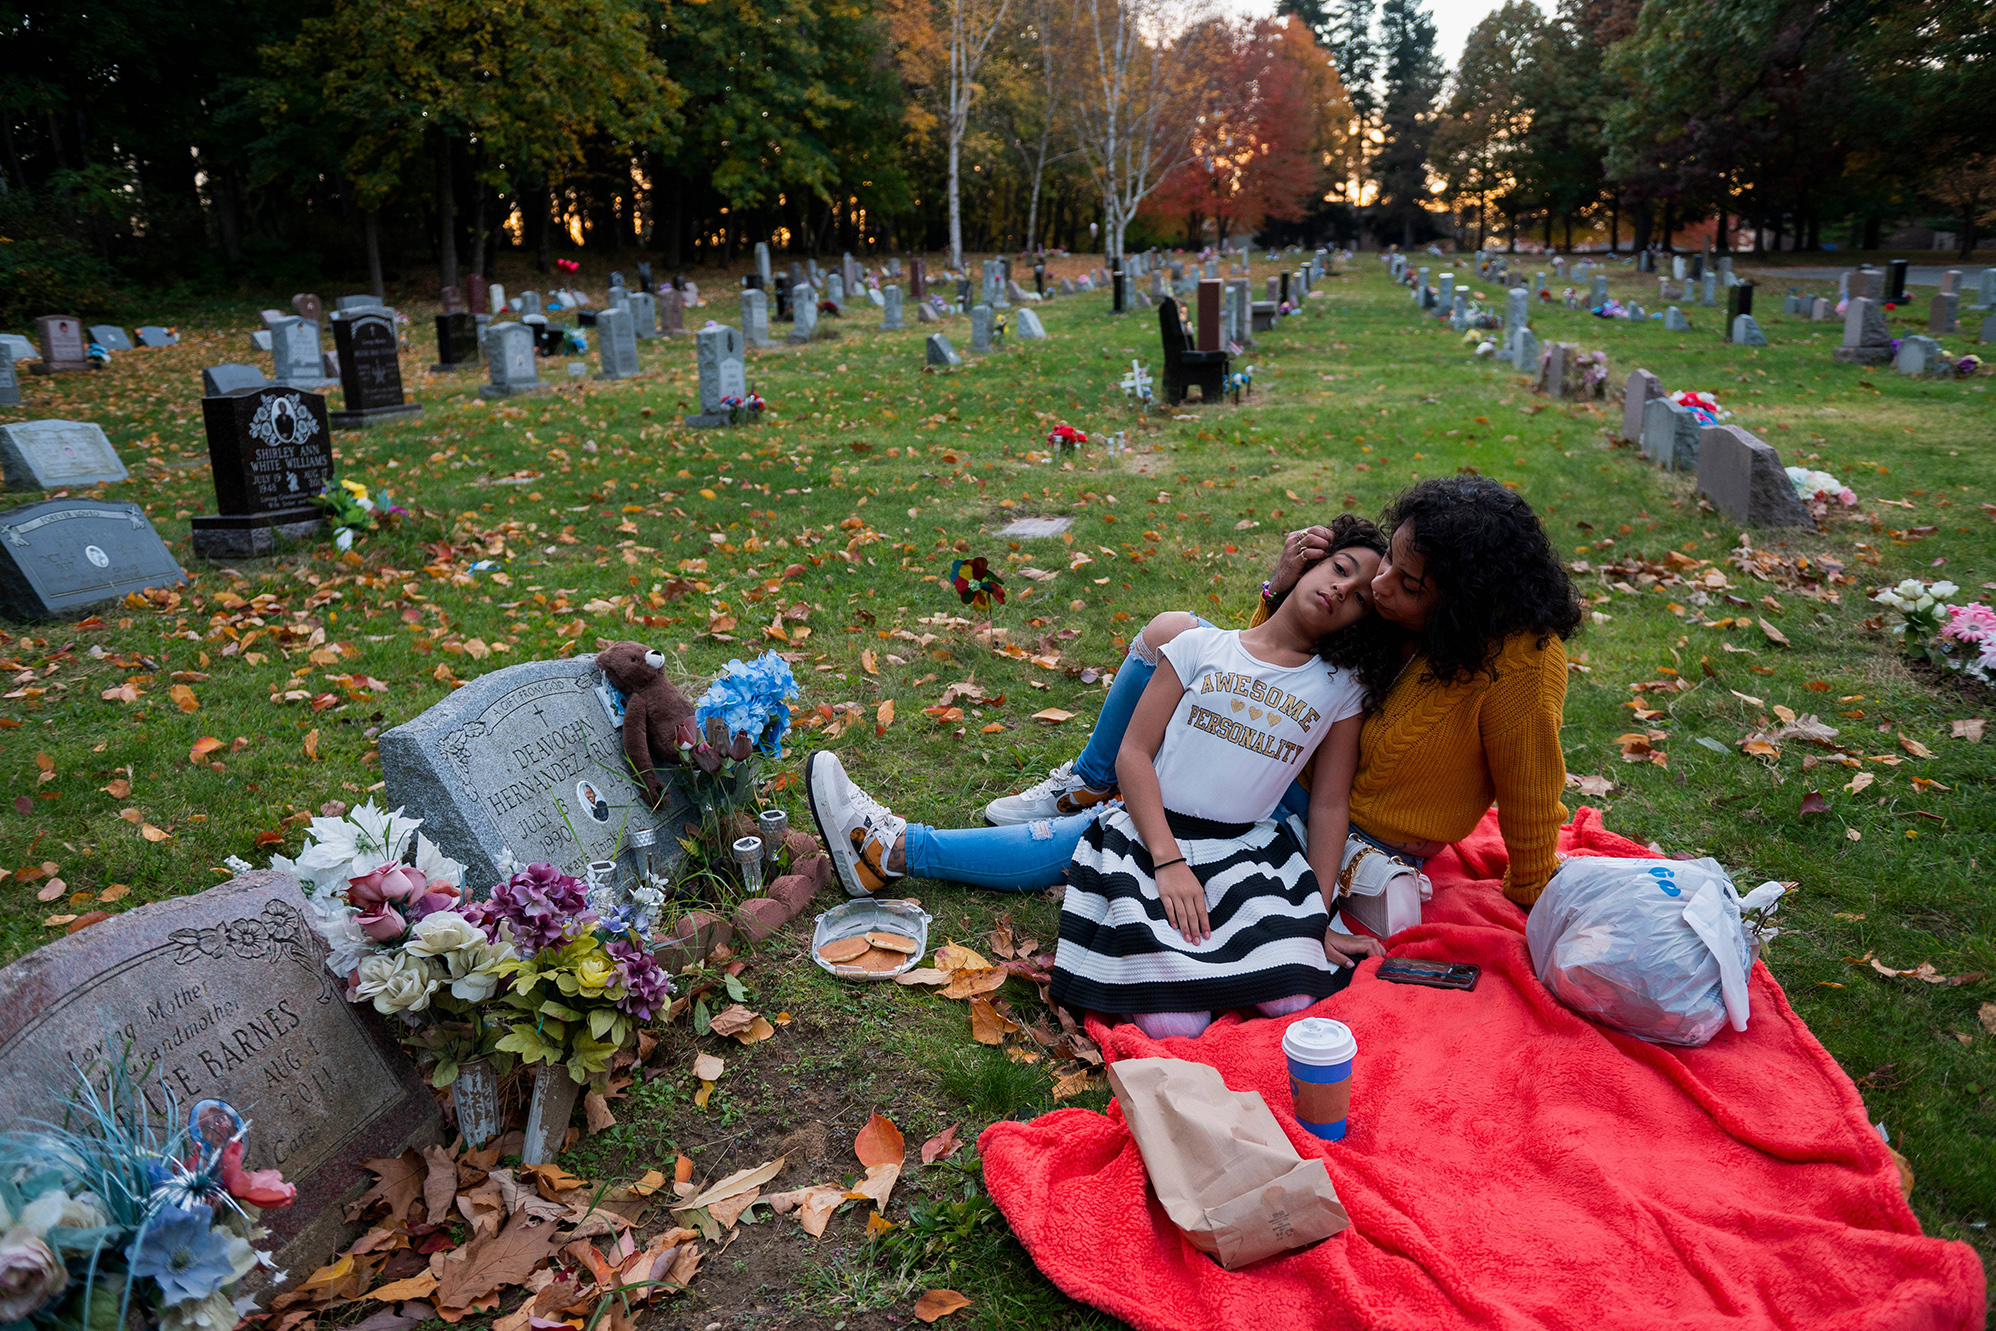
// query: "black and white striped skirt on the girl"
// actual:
[[1119, 953]]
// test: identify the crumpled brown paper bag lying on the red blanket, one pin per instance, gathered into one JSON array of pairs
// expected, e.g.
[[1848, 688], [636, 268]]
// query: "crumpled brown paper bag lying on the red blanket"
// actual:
[[1223, 1166]]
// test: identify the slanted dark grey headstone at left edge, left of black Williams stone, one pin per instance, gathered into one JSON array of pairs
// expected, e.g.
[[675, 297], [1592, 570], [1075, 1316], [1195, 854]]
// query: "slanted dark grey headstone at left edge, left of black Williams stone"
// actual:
[[71, 554]]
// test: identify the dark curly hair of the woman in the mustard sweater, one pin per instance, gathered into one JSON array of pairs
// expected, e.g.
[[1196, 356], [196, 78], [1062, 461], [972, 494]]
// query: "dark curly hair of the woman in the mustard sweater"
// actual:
[[1496, 568]]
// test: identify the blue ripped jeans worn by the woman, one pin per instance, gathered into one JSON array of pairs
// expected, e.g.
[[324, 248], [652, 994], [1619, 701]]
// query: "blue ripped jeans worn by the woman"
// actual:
[[1035, 857]]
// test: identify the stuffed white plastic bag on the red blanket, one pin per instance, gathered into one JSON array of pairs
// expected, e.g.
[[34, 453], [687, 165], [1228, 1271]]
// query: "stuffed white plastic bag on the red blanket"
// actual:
[[1648, 947]]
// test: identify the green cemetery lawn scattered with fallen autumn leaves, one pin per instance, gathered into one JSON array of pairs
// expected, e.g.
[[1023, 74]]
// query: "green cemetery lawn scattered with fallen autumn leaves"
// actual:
[[612, 520]]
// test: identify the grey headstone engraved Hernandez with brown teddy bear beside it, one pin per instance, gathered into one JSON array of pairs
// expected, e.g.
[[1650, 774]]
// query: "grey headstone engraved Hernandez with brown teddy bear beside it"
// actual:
[[524, 759]]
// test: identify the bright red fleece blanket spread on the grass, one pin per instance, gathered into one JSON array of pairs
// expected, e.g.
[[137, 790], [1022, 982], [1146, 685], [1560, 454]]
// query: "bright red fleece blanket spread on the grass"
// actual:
[[1512, 1164]]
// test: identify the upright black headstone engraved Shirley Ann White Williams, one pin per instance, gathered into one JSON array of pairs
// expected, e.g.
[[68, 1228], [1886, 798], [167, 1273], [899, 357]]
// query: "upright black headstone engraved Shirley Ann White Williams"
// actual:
[[270, 452]]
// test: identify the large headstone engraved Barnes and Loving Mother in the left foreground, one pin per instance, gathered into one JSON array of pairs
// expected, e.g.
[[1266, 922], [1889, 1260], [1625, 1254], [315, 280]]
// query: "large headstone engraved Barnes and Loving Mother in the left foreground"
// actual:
[[223, 995]]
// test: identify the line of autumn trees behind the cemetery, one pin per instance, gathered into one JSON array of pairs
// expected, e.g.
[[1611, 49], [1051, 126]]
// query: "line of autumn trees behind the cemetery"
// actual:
[[276, 145]]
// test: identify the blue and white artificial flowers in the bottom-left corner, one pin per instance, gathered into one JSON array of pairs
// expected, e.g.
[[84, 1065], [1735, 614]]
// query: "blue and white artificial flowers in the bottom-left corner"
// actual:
[[109, 1216]]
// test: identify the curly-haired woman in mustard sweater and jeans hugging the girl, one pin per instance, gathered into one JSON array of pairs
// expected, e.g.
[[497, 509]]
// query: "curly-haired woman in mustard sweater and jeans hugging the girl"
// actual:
[[1478, 608]]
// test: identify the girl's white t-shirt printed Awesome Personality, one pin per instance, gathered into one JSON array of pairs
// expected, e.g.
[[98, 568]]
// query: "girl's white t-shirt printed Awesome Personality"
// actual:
[[1245, 727]]
